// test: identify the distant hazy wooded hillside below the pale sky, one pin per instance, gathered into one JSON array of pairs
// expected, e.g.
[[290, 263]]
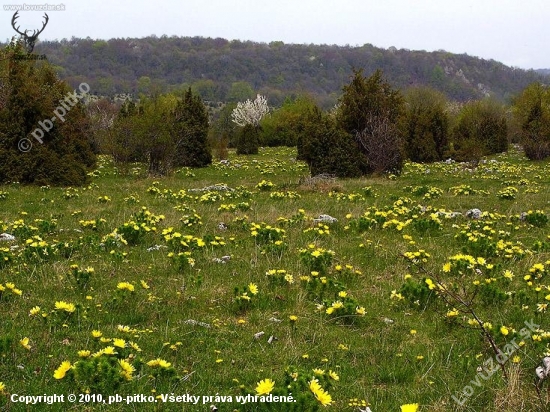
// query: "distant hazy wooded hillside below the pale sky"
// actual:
[[224, 71]]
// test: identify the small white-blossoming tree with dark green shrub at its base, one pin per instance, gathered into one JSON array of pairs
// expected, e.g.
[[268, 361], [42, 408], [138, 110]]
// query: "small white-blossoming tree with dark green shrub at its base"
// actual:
[[248, 115]]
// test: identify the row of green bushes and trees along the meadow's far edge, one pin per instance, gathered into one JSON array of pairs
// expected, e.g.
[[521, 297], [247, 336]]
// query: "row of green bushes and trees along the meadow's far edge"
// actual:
[[373, 128]]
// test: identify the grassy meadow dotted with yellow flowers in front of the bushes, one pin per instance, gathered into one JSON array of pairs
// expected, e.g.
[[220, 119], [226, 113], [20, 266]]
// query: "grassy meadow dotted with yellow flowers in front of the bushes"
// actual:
[[212, 280]]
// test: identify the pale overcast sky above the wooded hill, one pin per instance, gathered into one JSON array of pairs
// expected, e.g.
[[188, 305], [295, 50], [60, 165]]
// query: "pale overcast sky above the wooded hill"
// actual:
[[515, 32]]
